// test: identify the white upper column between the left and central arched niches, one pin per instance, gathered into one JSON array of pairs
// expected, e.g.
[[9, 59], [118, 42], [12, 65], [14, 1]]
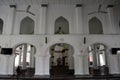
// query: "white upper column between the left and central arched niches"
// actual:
[[42, 19]]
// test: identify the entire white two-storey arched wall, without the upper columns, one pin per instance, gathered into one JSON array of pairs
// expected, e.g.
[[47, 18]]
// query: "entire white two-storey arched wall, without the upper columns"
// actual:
[[42, 54]]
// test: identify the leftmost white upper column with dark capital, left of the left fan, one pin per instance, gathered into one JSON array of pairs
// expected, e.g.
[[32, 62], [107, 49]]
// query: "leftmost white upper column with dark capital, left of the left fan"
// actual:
[[10, 21]]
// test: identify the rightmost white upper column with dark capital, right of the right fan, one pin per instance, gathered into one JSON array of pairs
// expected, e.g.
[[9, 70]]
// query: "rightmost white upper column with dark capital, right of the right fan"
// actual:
[[111, 25]]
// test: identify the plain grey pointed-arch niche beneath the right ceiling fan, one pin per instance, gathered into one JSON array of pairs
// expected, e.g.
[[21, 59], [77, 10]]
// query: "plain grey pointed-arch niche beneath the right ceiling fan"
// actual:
[[95, 26]]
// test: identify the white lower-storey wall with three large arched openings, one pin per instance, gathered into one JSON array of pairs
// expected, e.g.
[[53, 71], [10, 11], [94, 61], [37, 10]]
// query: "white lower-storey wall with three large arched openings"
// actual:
[[42, 54]]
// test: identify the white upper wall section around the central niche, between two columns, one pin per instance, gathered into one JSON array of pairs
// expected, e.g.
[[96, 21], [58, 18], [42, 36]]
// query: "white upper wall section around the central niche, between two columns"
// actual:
[[55, 11]]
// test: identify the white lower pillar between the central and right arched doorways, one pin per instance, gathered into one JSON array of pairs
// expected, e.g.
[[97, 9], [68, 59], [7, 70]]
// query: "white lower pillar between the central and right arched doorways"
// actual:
[[78, 64]]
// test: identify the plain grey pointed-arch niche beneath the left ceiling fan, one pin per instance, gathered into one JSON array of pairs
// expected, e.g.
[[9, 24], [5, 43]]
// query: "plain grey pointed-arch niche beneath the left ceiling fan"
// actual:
[[27, 26]]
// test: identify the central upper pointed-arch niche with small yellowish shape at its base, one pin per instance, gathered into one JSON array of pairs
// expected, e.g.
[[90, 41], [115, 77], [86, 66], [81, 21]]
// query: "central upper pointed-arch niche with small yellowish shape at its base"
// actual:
[[61, 26]]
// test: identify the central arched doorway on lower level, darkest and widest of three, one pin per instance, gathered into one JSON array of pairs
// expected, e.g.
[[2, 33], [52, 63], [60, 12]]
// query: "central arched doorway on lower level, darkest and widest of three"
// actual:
[[61, 60]]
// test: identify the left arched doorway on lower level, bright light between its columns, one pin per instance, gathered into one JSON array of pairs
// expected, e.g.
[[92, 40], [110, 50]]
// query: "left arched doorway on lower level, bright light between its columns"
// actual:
[[24, 57]]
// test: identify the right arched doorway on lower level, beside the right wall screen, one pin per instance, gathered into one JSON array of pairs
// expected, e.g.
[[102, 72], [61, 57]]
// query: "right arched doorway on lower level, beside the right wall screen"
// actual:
[[97, 59]]
